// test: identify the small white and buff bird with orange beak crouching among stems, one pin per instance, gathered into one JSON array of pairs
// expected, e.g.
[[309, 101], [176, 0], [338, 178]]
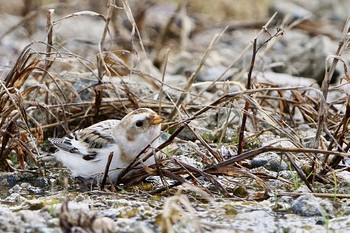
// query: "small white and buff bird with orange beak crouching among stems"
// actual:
[[85, 152]]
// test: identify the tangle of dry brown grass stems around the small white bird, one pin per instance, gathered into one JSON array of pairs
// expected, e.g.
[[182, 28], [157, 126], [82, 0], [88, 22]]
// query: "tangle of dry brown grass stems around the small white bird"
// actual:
[[37, 102]]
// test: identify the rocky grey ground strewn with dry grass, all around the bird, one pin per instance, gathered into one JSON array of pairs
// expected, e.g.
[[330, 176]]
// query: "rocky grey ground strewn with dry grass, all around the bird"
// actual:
[[197, 57]]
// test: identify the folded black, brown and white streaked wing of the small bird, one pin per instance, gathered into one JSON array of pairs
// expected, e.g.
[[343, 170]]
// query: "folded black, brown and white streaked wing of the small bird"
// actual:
[[86, 142]]
